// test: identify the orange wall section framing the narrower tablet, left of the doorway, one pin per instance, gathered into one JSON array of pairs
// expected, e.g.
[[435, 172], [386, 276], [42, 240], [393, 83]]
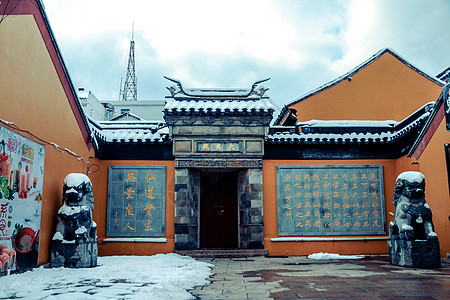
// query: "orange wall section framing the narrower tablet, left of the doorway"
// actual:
[[100, 180]]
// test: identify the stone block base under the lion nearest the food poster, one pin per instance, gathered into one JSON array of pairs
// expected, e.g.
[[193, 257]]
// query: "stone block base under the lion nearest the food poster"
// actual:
[[80, 254]]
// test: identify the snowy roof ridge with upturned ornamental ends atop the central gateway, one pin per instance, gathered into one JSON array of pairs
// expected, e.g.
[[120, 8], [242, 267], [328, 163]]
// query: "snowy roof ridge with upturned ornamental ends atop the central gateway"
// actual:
[[205, 93]]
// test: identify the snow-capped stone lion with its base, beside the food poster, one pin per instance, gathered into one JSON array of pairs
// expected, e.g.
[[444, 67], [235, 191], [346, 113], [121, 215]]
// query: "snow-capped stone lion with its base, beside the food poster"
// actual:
[[75, 241]]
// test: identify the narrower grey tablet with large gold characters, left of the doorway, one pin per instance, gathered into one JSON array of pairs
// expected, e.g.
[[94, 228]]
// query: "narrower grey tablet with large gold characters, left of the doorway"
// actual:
[[136, 201]]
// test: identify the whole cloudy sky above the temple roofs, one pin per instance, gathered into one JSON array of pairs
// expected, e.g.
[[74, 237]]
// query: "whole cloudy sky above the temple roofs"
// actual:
[[299, 44]]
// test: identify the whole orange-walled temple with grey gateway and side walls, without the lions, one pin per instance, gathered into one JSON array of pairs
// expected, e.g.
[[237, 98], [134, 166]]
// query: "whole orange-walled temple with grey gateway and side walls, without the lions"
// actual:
[[222, 170]]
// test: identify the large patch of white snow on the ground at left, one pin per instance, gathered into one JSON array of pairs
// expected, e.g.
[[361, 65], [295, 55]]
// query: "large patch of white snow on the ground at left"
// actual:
[[162, 276]]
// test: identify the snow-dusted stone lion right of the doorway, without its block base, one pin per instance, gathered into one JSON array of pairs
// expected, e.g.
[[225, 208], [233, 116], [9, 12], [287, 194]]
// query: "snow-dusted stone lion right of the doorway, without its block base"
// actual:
[[412, 217]]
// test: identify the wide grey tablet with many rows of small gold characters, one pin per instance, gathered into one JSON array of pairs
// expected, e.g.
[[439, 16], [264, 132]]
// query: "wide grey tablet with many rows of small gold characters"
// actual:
[[330, 200]]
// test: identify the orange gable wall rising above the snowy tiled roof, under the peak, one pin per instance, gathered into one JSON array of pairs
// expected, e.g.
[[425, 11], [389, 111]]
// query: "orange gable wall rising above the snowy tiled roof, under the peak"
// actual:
[[386, 89]]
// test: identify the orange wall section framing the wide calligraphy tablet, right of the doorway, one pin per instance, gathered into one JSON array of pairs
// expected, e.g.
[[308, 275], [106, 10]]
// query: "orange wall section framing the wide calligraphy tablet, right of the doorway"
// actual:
[[306, 248]]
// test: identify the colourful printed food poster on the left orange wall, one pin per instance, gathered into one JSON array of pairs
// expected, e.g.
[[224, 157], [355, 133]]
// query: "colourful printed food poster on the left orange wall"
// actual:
[[21, 182]]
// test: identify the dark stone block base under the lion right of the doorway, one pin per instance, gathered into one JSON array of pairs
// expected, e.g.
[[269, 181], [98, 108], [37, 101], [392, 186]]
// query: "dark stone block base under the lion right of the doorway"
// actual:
[[418, 254]]
